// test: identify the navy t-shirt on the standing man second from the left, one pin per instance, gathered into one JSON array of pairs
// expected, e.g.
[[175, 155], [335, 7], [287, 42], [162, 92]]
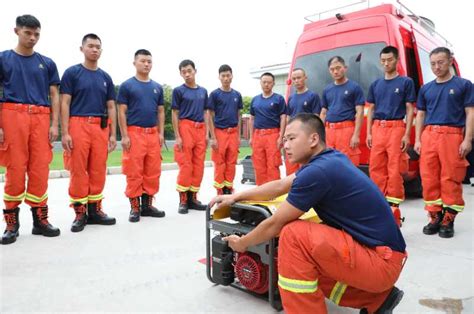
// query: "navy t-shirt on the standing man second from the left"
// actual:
[[90, 90]]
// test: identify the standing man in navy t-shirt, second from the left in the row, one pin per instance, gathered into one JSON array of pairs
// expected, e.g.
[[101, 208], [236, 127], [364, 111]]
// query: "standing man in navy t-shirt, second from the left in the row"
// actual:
[[88, 133]]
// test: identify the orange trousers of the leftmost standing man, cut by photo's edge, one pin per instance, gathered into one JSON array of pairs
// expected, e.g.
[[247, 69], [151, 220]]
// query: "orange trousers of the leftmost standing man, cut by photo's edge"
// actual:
[[26, 150]]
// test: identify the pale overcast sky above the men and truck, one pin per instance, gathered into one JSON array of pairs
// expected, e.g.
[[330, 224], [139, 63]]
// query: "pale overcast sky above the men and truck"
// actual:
[[244, 34]]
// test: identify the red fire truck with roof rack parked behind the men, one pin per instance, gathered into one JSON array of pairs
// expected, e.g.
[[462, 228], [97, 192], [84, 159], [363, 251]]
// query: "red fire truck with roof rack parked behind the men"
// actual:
[[359, 37]]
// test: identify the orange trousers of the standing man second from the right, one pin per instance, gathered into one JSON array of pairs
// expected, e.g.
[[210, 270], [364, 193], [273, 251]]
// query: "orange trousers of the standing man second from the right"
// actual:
[[386, 159]]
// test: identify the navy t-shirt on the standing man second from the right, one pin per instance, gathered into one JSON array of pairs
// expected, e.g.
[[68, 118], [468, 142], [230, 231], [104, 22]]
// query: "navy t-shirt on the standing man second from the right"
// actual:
[[390, 97]]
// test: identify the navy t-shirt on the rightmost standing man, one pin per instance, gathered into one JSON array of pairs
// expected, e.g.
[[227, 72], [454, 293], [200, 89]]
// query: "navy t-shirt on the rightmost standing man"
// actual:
[[445, 102]]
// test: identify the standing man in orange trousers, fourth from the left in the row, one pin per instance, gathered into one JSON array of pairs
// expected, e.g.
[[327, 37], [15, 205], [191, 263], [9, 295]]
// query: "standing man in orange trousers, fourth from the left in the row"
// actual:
[[190, 124]]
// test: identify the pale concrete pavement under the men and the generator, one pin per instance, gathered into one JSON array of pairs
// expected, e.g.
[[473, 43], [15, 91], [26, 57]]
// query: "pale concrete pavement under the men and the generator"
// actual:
[[153, 265]]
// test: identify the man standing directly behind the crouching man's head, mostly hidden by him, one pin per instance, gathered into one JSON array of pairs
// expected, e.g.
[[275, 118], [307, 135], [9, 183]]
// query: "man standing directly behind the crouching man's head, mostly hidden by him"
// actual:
[[302, 100]]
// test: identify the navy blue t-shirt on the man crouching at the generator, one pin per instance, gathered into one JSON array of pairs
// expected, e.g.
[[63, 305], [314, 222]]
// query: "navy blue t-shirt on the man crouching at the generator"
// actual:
[[345, 198]]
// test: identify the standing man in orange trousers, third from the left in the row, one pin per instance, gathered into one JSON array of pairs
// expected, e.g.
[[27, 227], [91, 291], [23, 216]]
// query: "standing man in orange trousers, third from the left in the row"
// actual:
[[141, 119]]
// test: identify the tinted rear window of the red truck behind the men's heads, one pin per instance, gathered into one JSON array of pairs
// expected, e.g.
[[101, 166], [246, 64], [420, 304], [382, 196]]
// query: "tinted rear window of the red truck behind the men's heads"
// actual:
[[362, 62]]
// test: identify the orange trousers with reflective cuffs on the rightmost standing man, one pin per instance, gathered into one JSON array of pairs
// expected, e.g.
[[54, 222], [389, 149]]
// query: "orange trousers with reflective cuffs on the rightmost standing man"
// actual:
[[442, 169]]
